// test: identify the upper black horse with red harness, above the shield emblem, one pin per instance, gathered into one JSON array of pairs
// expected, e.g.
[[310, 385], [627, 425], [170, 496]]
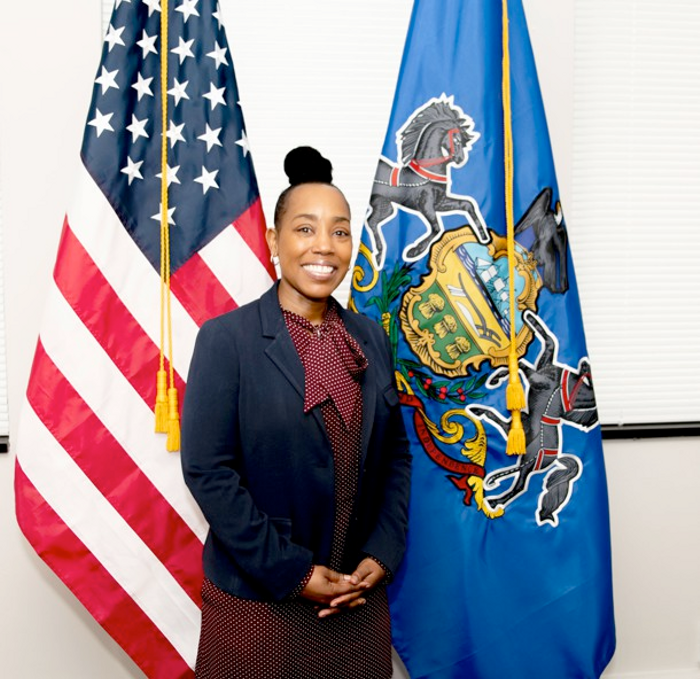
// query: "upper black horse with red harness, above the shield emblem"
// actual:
[[438, 136]]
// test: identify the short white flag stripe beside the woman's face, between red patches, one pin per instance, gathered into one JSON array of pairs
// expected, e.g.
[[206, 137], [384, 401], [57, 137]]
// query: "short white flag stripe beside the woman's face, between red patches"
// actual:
[[236, 266]]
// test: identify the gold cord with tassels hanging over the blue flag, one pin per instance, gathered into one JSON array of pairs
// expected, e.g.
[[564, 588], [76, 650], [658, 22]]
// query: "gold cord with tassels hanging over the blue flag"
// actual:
[[515, 394]]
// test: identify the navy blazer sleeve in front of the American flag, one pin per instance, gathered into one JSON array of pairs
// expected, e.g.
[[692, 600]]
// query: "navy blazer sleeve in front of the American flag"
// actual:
[[210, 453]]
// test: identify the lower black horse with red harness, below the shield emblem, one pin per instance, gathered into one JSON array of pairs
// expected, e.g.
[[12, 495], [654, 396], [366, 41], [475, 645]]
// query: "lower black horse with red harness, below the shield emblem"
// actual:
[[557, 396]]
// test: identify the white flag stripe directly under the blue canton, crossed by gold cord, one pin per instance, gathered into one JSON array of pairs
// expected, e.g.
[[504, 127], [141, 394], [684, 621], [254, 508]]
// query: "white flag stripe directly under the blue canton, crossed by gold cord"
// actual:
[[130, 274]]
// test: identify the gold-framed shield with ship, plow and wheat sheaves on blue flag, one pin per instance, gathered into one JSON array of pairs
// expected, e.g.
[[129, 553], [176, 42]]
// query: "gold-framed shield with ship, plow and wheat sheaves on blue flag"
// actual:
[[459, 315]]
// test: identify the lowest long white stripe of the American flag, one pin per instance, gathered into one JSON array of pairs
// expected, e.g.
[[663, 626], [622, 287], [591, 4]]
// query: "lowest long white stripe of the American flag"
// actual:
[[103, 531]]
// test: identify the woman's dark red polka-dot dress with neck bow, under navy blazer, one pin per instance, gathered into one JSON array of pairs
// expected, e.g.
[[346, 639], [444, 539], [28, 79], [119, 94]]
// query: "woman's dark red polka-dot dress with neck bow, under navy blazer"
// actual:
[[258, 640]]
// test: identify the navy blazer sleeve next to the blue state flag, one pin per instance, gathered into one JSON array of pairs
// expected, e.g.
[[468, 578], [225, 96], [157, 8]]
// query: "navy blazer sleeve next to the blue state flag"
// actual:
[[387, 541]]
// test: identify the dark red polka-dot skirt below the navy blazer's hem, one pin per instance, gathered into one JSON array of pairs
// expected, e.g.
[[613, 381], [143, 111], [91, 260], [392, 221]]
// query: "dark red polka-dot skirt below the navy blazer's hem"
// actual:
[[252, 640]]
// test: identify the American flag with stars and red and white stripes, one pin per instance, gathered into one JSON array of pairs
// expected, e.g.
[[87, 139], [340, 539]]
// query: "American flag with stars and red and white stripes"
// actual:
[[97, 495]]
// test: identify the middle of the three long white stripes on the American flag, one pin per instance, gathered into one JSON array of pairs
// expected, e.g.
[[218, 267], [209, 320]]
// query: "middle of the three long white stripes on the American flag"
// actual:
[[108, 393]]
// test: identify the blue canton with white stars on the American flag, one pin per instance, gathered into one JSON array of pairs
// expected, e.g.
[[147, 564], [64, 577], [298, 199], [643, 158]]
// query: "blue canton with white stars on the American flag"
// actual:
[[210, 176]]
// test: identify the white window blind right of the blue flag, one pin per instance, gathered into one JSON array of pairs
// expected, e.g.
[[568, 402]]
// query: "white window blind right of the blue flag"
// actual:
[[636, 202]]
